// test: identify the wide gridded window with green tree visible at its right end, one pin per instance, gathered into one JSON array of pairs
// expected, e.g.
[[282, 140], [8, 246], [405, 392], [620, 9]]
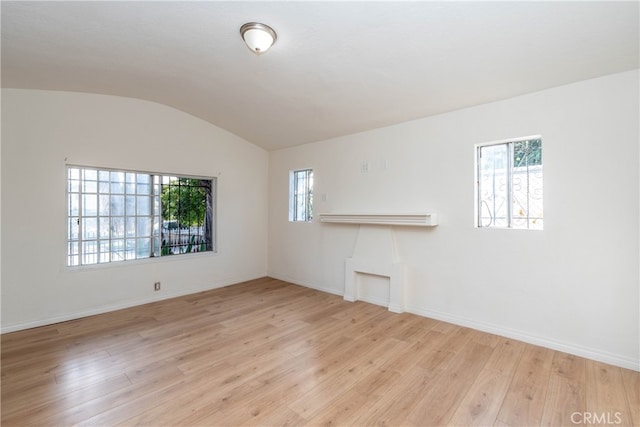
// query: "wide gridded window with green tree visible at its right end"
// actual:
[[116, 215]]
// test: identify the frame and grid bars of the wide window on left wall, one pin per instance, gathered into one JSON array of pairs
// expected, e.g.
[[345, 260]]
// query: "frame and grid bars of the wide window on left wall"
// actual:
[[155, 216]]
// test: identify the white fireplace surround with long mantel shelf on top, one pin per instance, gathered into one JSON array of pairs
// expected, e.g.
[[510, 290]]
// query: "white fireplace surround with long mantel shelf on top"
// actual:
[[376, 251]]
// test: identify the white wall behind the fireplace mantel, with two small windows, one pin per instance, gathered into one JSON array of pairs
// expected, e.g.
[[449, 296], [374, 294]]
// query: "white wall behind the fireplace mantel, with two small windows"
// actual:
[[573, 286]]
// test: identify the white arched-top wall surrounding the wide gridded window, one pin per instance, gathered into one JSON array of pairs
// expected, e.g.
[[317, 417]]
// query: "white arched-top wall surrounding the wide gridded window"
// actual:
[[42, 131]]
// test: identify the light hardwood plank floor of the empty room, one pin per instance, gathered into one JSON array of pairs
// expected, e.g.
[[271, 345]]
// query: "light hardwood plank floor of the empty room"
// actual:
[[266, 352]]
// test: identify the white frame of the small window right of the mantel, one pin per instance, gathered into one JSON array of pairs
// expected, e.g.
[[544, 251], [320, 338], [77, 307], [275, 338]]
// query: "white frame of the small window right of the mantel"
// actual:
[[509, 143]]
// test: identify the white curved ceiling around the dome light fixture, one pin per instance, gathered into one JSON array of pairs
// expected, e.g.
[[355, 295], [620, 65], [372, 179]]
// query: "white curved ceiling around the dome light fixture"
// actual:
[[337, 67]]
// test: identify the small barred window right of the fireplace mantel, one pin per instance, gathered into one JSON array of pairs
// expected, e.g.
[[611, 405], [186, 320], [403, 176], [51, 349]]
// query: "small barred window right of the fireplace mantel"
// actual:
[[509, 184]]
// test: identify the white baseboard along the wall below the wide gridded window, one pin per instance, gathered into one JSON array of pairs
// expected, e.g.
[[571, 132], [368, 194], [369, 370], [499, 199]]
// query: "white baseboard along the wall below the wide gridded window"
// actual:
[[119, 306]]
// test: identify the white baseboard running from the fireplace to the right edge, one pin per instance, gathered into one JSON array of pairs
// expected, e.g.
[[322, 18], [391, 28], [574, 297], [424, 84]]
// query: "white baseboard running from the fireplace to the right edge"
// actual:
[[589, 353]]
